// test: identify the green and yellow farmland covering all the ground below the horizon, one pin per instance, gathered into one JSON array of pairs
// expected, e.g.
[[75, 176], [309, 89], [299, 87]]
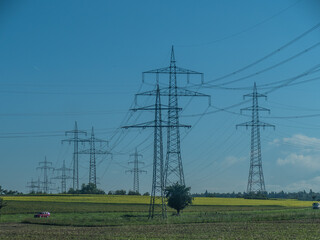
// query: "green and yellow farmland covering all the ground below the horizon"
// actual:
[[126, 217]]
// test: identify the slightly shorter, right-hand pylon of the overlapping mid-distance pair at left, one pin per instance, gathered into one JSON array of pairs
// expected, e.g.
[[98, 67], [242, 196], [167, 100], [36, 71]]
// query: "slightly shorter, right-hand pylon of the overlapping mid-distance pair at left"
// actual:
[[93, 152]]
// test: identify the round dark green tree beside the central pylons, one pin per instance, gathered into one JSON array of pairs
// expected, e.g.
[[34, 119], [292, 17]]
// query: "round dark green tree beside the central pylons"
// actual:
[[178, 197]]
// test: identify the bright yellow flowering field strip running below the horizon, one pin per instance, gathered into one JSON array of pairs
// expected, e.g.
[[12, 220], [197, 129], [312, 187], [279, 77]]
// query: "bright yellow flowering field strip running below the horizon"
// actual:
[[132, 199]]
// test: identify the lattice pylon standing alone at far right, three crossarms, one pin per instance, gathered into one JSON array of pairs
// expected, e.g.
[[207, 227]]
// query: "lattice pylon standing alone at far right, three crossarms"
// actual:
[[255, 180]]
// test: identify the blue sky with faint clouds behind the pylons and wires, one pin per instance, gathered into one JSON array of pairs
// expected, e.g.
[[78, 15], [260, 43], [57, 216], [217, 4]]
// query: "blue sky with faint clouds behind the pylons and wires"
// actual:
[[67, 61]]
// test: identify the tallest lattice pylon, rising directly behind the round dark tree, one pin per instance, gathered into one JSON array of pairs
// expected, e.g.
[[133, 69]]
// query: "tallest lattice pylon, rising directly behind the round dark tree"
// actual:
[[173, 166]]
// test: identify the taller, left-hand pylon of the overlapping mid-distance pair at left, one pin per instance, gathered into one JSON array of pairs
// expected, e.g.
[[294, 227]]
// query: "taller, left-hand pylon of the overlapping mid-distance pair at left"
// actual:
[[75, 140]]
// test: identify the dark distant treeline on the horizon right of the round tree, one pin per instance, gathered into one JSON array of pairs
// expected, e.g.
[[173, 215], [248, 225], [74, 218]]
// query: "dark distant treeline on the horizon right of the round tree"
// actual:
[[302, 195]]
